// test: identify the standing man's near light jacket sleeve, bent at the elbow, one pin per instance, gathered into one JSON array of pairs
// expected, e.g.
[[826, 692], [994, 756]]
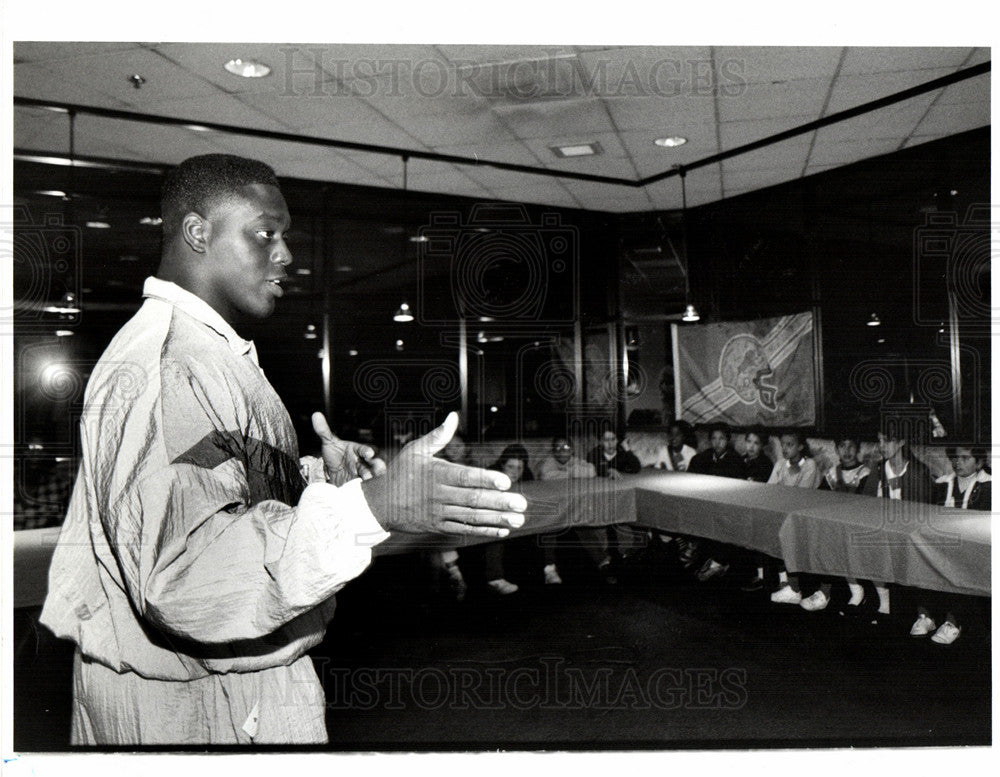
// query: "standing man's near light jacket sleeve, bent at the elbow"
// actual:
[[205, 553]]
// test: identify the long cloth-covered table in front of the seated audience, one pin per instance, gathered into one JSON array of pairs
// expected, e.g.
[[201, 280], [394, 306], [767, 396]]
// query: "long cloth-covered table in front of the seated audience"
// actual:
[[813, 531]]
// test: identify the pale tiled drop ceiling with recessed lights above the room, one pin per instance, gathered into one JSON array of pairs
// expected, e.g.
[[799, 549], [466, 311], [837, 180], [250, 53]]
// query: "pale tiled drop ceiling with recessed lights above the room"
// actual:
[[454, 108]]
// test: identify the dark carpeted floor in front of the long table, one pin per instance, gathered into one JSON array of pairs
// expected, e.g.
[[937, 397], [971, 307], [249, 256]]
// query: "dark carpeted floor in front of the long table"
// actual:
[[656, 661]]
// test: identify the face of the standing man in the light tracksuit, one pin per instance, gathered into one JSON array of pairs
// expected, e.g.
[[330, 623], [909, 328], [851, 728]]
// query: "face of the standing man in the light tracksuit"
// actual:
[[246, 254]]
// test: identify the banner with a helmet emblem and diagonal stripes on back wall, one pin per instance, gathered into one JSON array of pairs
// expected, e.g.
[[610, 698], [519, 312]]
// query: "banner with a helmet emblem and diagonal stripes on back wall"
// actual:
[[746, 372]]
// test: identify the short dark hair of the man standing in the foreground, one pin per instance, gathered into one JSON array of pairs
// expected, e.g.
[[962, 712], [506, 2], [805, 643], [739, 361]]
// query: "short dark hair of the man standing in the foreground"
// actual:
[[198, 182]]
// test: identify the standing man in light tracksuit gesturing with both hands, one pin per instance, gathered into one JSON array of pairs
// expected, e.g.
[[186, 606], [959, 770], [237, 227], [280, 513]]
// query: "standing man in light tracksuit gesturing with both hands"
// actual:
[[196, 566]]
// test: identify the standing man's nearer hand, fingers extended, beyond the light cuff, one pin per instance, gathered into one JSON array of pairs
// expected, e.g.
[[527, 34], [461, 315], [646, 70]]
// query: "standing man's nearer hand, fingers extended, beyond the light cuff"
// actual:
[[423, 493]]
